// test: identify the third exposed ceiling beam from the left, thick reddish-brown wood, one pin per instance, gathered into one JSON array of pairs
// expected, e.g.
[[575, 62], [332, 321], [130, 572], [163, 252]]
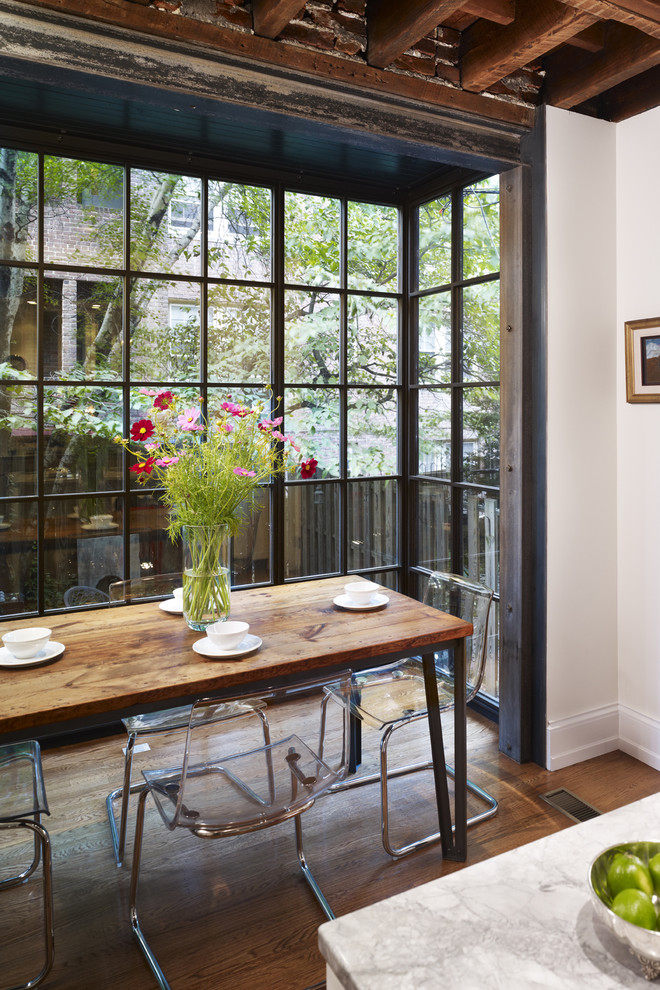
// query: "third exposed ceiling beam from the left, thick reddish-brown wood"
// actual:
[[495, 52]]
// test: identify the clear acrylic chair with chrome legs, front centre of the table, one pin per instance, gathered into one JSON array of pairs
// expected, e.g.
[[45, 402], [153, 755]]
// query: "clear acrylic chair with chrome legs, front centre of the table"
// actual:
[[244, 772]]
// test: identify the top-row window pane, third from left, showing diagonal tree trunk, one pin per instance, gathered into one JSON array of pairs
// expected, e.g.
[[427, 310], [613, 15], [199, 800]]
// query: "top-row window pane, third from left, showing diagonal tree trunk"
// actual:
[[166, 219]]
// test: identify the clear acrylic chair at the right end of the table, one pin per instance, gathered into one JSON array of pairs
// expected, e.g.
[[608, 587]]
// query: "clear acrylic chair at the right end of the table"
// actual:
[[388, 698]]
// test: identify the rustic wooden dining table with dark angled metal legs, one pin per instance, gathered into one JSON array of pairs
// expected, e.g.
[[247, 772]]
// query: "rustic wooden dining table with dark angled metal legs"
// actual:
[[122, 660]]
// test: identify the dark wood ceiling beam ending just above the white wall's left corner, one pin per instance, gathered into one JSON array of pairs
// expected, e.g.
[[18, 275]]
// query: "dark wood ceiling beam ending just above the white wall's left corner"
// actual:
[[571, 78]]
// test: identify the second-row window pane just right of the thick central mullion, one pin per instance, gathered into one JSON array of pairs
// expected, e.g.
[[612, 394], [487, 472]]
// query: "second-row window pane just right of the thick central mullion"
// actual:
[[311, 344]]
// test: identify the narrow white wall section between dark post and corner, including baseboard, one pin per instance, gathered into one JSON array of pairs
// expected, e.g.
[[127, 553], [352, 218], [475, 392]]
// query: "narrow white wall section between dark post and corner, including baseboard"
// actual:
[[583, 387]]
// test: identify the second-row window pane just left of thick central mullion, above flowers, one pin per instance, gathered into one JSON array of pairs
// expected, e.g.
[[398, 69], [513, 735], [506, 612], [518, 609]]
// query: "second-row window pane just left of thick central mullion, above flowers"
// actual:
[[239, 334]]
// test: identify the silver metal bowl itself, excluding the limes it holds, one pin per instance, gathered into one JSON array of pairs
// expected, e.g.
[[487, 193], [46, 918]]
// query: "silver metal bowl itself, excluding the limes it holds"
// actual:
[[642, 942]]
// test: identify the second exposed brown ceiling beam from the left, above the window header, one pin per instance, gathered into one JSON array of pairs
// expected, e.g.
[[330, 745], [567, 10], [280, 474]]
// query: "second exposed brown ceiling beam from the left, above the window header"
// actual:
[[393, 27]]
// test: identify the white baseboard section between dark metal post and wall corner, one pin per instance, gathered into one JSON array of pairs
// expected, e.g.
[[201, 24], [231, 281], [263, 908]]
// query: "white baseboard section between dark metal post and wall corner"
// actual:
[[581, 737]]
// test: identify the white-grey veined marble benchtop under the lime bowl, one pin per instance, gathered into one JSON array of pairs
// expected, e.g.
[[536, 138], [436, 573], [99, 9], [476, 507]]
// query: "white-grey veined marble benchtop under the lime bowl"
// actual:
[[519, 921]]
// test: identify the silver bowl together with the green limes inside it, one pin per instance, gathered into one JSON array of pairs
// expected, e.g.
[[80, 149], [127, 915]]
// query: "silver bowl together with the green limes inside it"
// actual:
[[625, 887]]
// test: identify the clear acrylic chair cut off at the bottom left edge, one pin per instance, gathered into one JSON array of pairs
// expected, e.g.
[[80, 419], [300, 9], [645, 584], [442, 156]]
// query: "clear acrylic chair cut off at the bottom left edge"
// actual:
[[22, 803]]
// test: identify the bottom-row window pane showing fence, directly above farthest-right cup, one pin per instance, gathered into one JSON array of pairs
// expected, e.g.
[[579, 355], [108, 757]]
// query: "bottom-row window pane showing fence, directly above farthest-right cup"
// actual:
[[372, 524]]
